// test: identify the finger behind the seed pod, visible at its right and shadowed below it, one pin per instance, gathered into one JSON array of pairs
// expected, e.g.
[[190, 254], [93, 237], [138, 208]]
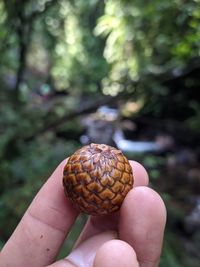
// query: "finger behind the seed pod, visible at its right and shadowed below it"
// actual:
[[97, 224]]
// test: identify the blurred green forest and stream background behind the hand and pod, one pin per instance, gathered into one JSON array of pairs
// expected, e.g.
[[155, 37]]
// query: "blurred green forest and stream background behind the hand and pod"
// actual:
[[125, 73]]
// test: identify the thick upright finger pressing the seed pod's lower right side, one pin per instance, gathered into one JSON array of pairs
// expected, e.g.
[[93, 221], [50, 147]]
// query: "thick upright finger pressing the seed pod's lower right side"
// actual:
[[142, 223]]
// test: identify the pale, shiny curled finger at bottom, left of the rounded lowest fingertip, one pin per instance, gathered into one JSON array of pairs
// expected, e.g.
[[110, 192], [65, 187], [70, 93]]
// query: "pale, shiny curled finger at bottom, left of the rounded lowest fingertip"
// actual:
[[83, 255]]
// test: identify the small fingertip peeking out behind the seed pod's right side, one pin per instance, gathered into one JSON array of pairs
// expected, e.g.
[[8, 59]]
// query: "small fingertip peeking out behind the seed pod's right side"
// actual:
[[140, 174]]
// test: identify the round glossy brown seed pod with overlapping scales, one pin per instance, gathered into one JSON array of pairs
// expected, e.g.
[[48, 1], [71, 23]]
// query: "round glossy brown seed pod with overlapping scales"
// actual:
[[97, 178]]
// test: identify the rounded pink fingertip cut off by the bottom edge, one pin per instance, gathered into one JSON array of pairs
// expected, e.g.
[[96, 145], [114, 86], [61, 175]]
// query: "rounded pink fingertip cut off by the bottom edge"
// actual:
[[108, 255]]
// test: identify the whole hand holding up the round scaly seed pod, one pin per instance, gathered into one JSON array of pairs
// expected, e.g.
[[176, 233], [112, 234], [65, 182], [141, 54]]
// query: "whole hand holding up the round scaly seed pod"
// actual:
[[132, 237]]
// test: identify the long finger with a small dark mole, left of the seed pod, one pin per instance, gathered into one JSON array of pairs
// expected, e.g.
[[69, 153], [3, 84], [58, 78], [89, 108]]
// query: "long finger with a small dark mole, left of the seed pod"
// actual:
[[43, 228]]
